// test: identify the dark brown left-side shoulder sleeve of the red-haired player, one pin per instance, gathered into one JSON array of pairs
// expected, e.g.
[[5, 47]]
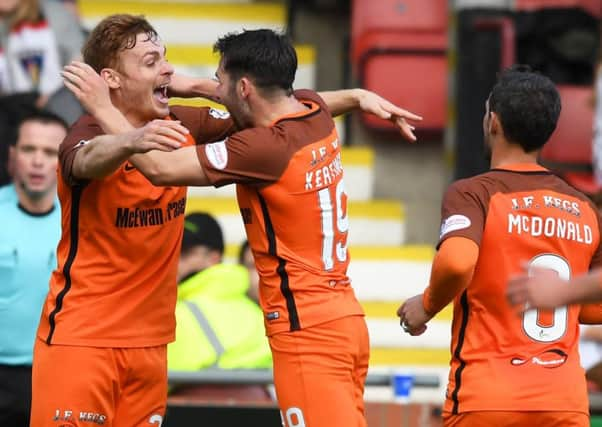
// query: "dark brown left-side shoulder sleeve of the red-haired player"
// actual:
[[79, 135]]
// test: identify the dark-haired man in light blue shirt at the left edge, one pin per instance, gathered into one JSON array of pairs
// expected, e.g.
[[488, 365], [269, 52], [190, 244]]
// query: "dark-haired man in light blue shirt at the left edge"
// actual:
[[28, 237]]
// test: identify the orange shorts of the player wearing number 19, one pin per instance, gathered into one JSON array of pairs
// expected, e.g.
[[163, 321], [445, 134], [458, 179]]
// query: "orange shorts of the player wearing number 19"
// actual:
[[319, 373]]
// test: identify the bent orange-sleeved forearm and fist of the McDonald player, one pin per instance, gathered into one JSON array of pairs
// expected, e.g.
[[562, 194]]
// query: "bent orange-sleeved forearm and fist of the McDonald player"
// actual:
[[450, 275]]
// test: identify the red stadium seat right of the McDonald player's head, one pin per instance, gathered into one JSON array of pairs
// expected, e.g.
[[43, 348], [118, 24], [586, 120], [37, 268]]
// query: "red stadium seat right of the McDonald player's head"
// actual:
[[569, 150]]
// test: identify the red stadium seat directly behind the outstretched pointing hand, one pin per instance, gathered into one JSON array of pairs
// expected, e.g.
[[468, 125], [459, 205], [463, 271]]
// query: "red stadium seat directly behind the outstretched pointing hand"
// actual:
[[398, 49]]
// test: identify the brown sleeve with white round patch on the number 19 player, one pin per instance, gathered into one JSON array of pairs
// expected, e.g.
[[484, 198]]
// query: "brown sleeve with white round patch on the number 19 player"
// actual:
[[256, 156]]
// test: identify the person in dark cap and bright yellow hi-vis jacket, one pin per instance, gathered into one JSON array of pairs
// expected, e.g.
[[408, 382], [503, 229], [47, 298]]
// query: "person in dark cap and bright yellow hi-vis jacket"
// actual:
[[217, 325]]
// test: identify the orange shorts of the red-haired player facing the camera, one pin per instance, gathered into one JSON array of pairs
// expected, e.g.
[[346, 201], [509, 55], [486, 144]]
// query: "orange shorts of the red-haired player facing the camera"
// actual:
[[91, 386]]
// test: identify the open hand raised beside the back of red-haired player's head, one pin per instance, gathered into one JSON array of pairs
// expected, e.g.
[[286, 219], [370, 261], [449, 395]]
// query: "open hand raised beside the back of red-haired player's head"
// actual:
[[88, 86]]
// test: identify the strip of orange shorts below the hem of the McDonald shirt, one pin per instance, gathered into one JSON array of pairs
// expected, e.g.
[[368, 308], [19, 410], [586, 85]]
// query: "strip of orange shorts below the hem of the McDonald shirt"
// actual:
[[516, 419]]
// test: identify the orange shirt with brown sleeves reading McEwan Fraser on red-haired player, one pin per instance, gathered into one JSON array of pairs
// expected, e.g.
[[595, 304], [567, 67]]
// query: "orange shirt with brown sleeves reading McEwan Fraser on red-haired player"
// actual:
[[115, 285]]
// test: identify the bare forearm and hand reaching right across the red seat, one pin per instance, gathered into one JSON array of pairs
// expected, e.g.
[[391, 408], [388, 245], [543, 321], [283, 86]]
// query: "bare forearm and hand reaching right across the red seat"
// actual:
[[346, 100]]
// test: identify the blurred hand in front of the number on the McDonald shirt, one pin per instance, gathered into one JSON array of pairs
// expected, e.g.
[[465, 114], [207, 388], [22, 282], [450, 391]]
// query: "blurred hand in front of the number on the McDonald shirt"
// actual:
[[538, 289]]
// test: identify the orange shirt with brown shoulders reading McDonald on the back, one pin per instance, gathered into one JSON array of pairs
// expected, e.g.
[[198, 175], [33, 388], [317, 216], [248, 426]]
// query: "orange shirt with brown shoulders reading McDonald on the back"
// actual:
[[521, 214]]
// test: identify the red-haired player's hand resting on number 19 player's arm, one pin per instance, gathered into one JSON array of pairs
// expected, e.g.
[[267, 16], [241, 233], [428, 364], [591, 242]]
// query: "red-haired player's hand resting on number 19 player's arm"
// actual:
[[162, 135]]
